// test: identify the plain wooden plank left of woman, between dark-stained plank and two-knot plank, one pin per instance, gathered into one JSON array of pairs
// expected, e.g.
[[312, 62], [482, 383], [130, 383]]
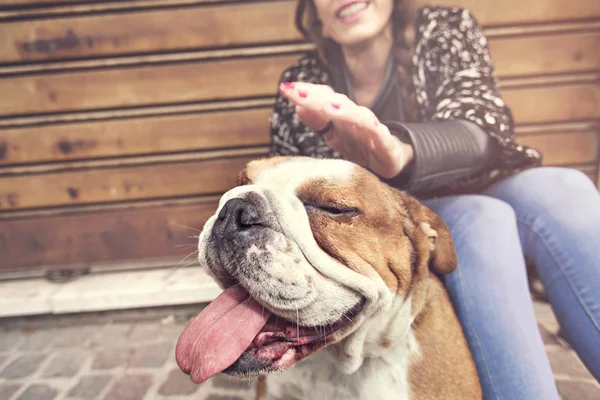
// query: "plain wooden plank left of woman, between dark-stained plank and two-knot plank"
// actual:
[[204, 81]]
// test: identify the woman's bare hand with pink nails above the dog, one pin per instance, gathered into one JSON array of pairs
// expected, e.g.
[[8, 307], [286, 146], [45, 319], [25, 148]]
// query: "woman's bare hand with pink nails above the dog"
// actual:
[[357, 134]]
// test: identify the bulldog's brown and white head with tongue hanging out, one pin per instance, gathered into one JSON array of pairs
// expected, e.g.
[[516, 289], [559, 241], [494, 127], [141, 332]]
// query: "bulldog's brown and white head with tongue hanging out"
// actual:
[[310, 253]]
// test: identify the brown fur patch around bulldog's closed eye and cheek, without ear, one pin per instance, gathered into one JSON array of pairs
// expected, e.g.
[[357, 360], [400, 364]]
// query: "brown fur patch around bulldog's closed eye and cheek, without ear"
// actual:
[[368, 242]]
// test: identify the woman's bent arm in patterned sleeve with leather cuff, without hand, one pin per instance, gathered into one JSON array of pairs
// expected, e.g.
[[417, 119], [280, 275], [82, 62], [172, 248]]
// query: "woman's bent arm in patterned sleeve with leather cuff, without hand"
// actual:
[[468, 130]]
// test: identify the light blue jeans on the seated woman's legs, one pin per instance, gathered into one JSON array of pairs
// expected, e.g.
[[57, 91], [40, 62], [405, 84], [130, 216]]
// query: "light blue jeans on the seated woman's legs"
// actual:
[[551, 216]]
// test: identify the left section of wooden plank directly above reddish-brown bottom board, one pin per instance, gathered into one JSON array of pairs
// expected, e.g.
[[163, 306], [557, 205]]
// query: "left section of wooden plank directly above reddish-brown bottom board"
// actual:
[[120, 184]]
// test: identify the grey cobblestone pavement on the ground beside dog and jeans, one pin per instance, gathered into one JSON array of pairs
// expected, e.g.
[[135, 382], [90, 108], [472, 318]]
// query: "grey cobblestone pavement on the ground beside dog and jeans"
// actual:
[[130, 355]]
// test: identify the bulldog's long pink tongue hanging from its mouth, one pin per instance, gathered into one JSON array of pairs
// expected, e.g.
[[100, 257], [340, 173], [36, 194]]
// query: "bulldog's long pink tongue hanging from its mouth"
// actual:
[[217, 337]]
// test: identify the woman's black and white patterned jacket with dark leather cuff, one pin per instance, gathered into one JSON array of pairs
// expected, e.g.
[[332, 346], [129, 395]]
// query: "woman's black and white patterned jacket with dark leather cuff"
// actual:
[[457, 91]]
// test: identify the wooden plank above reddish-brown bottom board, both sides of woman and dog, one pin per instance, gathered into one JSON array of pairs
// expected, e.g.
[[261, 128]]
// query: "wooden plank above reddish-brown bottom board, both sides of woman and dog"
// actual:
[[206, 177]]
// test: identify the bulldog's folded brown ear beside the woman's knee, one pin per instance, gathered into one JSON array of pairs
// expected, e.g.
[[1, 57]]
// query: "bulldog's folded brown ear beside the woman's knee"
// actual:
[[443, 259]]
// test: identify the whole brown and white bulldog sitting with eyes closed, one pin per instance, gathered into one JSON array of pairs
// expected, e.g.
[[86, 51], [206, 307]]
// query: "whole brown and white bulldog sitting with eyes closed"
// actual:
[[328, 289]]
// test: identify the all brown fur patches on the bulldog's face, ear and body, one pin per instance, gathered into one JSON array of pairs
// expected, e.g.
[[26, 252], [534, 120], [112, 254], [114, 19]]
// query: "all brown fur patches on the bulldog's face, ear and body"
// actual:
[[398, 238]]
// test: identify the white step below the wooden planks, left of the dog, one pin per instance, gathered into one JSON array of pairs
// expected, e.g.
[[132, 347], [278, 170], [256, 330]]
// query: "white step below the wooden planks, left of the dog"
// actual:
[[107, 291]]
